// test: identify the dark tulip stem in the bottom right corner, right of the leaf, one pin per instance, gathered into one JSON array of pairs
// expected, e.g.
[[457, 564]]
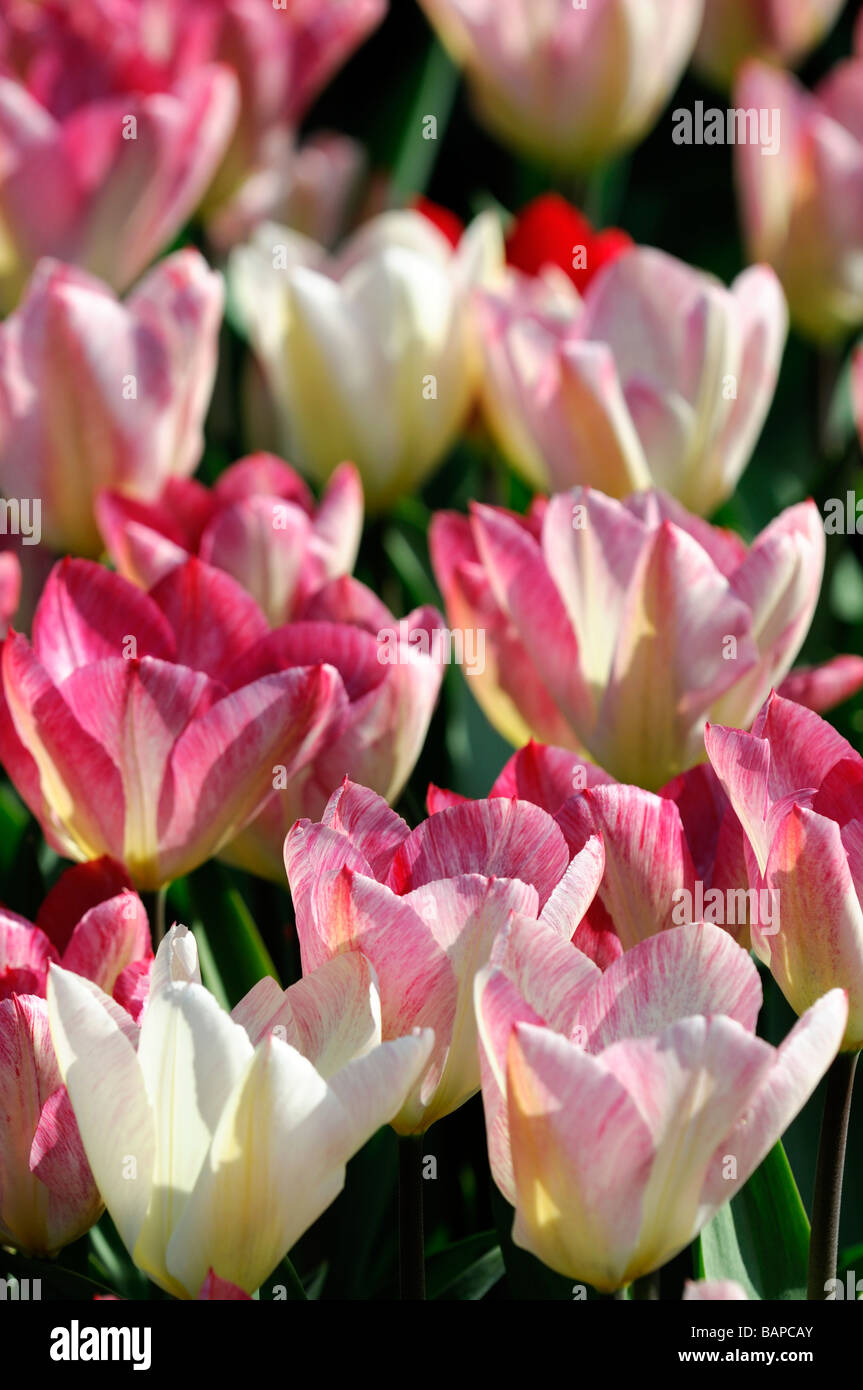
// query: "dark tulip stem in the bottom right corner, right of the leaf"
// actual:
[[826, 1204]]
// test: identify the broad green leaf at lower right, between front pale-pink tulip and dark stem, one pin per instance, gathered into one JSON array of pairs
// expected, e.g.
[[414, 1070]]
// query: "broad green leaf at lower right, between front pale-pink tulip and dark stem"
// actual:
[[762, 1236]]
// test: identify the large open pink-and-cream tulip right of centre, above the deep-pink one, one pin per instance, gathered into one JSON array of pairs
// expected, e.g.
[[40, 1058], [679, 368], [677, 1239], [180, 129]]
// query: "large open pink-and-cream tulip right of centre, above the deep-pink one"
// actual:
[[618, 629]]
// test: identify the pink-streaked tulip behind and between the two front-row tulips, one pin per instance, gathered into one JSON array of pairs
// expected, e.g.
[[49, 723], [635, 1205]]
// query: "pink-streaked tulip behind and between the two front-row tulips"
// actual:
[[426, 907]]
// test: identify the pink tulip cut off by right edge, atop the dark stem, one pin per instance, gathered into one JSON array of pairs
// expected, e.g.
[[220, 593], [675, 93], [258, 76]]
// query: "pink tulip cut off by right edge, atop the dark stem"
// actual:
[[798, 790]]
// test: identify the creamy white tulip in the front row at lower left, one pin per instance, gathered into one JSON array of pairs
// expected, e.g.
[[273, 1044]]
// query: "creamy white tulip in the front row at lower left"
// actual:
[[217, 1140]]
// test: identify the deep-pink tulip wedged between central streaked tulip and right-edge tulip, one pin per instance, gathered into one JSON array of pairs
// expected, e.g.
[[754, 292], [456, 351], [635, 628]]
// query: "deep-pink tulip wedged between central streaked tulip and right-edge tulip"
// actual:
[[669, 858]]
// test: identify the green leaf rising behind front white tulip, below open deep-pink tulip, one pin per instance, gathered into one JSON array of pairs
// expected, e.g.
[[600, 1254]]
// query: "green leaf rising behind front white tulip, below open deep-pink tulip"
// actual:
[[233, 953]]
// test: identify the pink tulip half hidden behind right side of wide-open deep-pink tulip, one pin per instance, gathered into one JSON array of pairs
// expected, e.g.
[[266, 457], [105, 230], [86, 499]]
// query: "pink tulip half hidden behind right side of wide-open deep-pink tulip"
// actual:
[[391, 673]]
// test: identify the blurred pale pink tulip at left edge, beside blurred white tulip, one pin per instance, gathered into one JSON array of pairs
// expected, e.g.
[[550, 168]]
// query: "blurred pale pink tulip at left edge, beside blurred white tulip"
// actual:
[[99, 394]]
